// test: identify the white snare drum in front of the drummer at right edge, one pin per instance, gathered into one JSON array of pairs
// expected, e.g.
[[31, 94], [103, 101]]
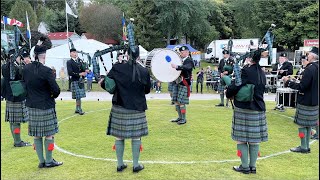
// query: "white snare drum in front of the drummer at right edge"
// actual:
[[287, 97]]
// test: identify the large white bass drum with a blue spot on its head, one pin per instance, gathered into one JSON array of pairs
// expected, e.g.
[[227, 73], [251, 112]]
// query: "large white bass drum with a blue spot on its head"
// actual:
[[159, 61]]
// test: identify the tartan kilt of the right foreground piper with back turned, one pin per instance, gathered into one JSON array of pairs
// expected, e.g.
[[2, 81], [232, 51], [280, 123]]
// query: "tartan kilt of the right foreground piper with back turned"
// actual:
[[249, 126]]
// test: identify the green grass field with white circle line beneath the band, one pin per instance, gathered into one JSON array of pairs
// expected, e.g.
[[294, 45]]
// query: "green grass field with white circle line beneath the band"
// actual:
[[200, 149]]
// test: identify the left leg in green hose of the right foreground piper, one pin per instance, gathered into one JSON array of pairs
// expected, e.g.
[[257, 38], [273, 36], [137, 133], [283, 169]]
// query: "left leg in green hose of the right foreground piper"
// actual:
[[243, 154]]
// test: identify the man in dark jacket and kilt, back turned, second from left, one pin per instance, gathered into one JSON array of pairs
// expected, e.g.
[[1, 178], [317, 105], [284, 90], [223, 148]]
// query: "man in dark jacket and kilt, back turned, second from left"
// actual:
[[42, 89]]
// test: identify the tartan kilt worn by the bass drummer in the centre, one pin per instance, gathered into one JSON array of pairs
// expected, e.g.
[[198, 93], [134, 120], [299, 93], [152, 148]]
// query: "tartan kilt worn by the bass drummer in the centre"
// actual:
[[180, 94]]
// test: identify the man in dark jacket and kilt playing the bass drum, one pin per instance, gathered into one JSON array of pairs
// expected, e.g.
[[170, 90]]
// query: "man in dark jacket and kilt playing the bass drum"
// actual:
[[181, 89]]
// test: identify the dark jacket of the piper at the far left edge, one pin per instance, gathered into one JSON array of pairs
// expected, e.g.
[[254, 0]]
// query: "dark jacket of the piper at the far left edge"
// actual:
[[7, 92]]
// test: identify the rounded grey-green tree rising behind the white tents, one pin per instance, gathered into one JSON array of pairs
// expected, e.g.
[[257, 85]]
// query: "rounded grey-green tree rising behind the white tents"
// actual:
[[104, 21]]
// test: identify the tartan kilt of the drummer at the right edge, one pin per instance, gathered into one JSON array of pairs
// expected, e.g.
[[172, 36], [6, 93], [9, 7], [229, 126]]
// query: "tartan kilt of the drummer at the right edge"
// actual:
[[306, 115]]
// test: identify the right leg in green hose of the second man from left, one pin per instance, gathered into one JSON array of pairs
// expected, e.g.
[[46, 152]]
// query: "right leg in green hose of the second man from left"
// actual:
[[49, 147]]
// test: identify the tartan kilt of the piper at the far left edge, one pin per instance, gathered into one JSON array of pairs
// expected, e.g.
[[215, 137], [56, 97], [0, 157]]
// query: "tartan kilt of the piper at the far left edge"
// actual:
[[16, 112]]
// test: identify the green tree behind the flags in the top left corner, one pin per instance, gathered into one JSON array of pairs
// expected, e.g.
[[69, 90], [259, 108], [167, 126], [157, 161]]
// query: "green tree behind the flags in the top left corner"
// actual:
[[18, 12]]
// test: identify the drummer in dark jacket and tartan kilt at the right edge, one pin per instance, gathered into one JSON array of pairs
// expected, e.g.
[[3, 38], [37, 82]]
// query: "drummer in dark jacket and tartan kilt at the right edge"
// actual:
[[307, 103]]
